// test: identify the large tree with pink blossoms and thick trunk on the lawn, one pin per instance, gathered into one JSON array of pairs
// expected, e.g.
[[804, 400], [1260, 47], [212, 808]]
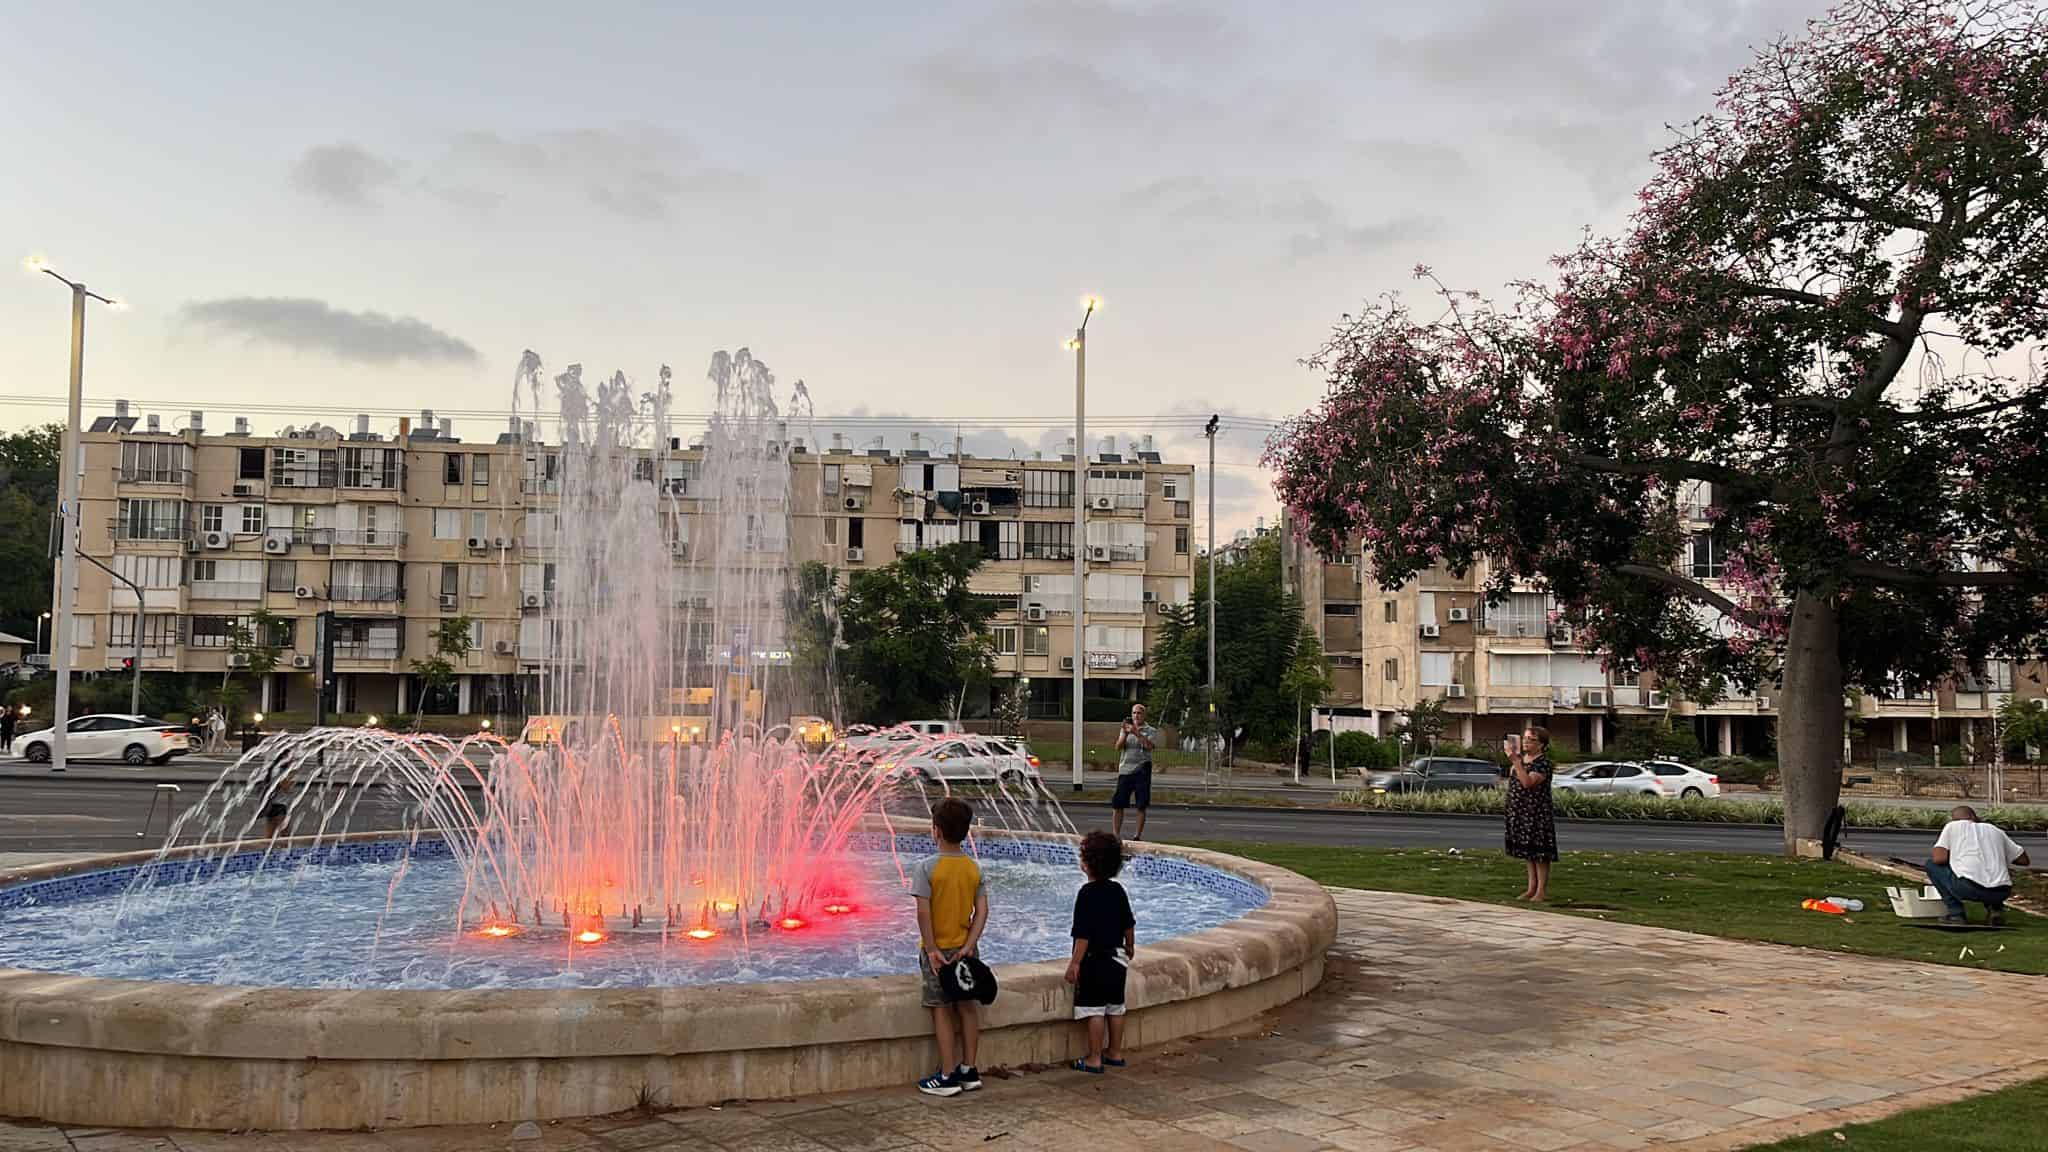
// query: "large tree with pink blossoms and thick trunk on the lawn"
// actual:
[[1828, 311]]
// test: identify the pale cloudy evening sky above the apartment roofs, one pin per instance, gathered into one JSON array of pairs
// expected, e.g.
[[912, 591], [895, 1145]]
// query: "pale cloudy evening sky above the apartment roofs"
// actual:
[[378, 208]]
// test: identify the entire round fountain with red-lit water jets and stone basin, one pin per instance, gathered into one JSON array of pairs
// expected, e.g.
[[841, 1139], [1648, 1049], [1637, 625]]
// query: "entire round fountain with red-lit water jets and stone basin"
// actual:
[[658, 893]]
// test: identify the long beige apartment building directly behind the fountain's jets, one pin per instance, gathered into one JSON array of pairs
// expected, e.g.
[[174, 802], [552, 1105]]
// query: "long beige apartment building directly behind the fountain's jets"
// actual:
[[384, 536]]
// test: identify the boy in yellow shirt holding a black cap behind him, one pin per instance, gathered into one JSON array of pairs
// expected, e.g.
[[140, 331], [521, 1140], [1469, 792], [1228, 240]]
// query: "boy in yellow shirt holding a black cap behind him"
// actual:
[[953, 909]]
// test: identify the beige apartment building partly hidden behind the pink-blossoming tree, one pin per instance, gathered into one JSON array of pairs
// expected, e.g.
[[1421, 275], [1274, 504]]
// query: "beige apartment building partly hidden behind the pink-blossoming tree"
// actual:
[[1498, 667]]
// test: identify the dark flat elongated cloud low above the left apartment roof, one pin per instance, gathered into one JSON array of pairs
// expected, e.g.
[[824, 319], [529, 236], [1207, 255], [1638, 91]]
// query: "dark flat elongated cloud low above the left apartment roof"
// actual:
[[318, 327]]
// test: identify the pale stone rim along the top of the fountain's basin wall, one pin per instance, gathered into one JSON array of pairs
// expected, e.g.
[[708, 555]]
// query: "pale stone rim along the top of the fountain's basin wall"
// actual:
[[296, 1024]]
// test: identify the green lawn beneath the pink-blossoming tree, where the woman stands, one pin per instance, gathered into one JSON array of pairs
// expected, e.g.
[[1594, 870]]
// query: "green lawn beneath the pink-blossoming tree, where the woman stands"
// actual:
[[1738, 897]]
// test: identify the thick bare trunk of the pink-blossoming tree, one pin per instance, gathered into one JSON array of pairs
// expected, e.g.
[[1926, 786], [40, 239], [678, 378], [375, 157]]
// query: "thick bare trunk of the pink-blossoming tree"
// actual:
[[1809, 721]]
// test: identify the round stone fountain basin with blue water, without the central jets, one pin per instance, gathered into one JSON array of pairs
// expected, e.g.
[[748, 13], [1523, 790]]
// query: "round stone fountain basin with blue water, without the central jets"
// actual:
[[460, 1030]]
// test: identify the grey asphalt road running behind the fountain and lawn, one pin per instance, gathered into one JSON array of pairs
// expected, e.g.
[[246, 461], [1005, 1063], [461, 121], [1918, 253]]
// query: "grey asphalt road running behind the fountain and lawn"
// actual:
[[48, 815]]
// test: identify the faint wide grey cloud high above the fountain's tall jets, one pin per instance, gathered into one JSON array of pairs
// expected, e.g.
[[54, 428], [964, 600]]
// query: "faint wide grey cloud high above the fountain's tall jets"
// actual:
[[636, 173]]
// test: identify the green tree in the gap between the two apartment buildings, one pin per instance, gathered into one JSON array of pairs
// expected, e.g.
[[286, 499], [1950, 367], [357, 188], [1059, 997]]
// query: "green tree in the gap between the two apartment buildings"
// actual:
[[1258, 632]]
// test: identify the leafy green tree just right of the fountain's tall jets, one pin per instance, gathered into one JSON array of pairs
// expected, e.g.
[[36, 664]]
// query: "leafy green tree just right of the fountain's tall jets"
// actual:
[[912, 636]]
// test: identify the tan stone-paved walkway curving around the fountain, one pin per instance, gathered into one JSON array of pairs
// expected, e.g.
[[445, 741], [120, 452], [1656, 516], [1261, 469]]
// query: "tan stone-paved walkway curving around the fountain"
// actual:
[[1443, 1026]]
